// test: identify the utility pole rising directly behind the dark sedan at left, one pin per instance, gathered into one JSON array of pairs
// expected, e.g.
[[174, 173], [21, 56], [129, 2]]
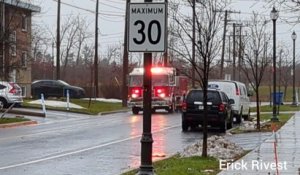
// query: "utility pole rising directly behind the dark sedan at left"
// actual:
[[58, 42]]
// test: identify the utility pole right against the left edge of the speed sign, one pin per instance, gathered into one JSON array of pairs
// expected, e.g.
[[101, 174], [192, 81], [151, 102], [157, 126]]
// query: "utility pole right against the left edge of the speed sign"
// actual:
[[125, 60]]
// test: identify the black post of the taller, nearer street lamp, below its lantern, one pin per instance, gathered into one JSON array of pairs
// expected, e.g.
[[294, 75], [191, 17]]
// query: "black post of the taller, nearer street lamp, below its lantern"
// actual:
[[274, 117]]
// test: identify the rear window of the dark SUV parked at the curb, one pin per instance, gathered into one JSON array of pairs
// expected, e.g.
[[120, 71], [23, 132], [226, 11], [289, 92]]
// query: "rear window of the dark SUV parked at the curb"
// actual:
[[197, 95]]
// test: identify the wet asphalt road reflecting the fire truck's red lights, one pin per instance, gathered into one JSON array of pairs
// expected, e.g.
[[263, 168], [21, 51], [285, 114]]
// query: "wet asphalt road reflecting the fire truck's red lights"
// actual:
[[76, 144]]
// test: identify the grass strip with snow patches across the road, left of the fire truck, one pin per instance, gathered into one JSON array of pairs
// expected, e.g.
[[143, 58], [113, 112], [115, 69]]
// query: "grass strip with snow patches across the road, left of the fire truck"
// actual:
[[92, 108]]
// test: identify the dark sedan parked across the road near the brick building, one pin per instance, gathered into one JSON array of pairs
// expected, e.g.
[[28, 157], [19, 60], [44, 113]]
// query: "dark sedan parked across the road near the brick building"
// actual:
[[55, 88]]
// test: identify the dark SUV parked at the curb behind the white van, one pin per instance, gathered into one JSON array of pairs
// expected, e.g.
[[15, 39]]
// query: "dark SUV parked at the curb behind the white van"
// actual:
[[218, 113]]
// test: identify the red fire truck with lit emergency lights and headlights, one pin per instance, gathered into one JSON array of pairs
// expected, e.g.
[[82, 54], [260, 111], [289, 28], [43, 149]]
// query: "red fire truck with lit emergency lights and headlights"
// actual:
[[167, 89]]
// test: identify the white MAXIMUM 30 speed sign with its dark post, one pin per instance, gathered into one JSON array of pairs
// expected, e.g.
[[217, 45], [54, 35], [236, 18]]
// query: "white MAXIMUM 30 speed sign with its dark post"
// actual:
[[147, 33]]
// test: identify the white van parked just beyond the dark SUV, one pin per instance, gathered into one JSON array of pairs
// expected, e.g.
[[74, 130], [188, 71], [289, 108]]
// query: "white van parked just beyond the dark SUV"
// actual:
[[237, 91]]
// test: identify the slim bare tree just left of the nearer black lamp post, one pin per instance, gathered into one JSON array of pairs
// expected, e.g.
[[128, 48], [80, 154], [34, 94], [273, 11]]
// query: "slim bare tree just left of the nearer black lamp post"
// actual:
[[256, 58]]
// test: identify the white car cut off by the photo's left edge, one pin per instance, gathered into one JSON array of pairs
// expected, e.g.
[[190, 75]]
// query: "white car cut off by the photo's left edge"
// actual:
[[10, 93]]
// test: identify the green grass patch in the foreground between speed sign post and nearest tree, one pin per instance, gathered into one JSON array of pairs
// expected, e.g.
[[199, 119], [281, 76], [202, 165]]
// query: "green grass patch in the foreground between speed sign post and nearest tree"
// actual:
[[177, 165]]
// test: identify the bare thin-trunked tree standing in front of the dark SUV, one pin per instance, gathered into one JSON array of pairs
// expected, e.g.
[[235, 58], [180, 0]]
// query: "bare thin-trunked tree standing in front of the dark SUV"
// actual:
[[208, 26]]
